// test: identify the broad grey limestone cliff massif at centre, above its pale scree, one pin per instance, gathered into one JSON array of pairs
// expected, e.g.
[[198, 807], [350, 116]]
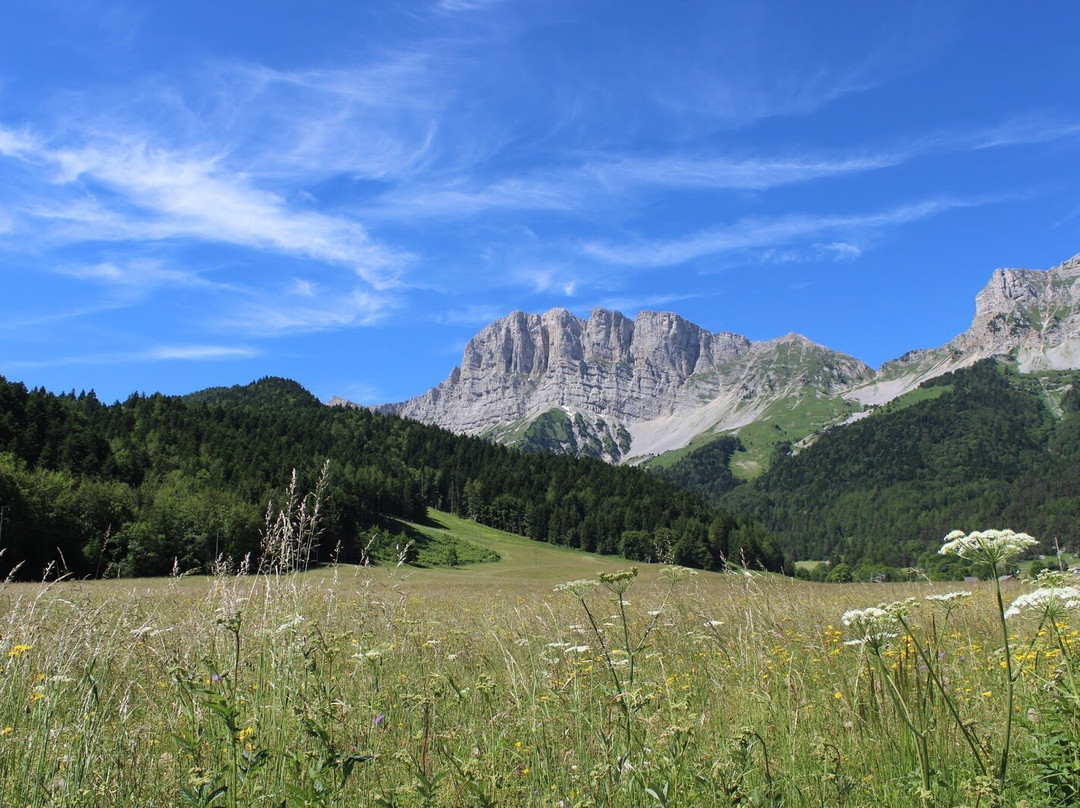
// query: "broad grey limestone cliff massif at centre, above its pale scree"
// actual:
[[659, 366]]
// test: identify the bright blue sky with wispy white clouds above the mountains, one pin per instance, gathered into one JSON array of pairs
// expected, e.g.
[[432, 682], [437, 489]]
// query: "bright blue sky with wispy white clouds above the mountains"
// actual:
[[344, 193]]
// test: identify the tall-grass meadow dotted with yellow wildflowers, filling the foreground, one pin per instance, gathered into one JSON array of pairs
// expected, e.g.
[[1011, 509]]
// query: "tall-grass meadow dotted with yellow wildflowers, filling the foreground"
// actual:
[[485, 686]]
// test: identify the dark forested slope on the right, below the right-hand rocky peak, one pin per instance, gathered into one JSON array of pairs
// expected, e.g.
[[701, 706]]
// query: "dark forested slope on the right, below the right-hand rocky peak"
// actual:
[[881, 493]]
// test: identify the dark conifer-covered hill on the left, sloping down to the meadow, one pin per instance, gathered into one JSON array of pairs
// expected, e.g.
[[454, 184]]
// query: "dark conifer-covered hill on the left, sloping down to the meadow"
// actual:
[[133, 488]]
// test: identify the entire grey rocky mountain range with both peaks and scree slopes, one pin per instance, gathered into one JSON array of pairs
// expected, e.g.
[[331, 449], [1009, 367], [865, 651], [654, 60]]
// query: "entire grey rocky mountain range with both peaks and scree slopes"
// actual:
[[629, 389]]
